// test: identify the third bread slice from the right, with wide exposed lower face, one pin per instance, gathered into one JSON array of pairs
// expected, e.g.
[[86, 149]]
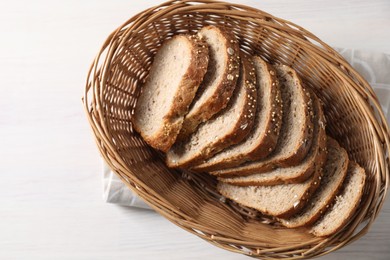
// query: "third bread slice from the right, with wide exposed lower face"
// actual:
[[282, 201]]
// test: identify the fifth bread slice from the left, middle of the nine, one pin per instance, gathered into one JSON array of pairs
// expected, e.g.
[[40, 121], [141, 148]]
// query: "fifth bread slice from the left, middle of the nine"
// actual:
[[296, 131]]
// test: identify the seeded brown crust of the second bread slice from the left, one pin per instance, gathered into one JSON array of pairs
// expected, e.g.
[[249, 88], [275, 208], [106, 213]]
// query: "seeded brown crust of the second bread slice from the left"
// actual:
[[224, 90]]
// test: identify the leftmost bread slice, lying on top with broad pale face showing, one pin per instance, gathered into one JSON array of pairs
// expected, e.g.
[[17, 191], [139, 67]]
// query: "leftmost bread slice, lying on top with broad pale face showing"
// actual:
[[175, 75]]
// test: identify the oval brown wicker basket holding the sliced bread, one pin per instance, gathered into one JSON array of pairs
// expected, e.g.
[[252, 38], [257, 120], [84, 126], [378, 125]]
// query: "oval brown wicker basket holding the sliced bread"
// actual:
[[190, 200]]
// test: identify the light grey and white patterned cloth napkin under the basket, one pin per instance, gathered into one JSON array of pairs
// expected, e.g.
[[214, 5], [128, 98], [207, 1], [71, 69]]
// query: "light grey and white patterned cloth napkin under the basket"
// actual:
[[374, 67]]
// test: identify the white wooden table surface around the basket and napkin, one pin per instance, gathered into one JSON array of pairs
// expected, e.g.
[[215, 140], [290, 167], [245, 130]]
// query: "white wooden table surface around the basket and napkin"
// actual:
[[51, 203]]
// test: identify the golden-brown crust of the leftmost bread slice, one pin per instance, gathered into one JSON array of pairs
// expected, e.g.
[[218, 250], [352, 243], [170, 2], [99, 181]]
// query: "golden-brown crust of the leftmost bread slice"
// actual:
[[172, 121]]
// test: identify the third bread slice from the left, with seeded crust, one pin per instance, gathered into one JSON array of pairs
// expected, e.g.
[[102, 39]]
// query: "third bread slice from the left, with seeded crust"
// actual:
[[228, 127]]
